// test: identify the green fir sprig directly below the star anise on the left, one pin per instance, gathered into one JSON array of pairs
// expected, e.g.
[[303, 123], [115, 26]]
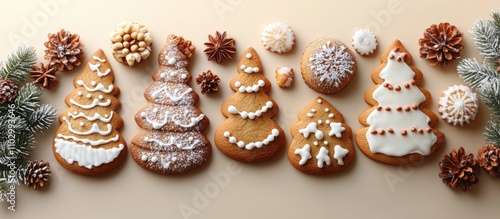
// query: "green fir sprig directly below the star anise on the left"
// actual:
[[27, 99]]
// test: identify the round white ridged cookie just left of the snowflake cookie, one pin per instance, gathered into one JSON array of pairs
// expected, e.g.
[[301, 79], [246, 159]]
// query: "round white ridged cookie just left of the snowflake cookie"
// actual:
[[278, 37]]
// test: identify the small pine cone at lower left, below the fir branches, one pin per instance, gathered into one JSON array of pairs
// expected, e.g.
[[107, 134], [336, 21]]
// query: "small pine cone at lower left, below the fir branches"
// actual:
[[37, 174]]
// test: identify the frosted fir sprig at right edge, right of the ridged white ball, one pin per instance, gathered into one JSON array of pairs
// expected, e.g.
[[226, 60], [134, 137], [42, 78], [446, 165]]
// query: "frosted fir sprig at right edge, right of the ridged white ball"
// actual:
[[490, 95]]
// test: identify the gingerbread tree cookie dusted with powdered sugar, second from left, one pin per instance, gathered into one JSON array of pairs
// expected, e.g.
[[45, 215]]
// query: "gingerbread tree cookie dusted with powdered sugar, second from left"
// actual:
[[171, 141]]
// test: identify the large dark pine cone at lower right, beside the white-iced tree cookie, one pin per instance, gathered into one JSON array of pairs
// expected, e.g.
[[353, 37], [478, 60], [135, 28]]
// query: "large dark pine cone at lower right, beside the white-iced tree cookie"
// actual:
[[458, 168]]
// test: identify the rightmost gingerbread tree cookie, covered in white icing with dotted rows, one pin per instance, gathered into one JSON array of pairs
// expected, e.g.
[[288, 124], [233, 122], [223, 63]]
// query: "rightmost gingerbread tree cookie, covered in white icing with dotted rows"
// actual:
[[399, 129]]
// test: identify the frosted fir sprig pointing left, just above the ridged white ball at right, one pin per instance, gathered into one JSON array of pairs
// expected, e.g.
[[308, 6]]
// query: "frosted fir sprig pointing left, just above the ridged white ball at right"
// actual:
[[476, 74]]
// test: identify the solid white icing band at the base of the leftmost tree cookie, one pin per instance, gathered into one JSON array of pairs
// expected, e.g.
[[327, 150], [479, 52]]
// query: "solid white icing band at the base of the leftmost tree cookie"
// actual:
[[86, 156]]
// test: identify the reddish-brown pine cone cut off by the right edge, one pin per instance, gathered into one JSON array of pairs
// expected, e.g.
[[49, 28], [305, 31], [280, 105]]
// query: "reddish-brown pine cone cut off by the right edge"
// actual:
[[488, 159]]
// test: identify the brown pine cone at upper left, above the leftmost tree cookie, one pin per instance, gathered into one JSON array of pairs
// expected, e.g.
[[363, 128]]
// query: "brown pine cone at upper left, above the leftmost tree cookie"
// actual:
[[64, 50]]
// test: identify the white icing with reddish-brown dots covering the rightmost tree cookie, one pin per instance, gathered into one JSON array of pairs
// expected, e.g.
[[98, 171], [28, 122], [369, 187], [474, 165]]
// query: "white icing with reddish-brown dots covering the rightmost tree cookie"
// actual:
[[398, 73]]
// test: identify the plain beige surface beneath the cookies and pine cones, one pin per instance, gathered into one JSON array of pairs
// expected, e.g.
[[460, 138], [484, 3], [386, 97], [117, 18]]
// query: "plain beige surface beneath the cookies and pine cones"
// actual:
[[272, 189]]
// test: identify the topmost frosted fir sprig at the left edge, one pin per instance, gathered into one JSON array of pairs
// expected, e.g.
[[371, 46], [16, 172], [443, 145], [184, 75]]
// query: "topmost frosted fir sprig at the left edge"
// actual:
[[18, 65]]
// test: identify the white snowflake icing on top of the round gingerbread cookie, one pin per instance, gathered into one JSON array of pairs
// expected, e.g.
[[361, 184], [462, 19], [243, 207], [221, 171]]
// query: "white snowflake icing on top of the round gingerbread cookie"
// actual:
[[332, 63]]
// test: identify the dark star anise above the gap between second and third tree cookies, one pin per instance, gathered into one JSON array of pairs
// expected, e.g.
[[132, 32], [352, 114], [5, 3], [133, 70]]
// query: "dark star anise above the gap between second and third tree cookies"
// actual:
[[220, 47]]
